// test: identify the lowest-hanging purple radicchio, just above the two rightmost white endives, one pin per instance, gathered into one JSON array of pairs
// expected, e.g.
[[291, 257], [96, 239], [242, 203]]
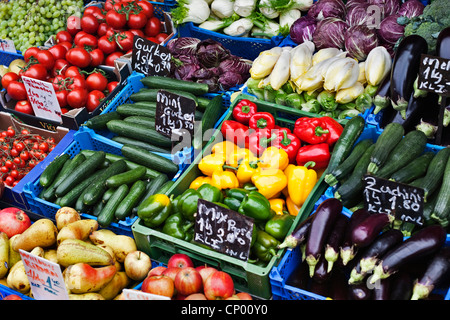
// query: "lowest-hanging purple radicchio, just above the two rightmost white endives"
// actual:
[[359, 41]]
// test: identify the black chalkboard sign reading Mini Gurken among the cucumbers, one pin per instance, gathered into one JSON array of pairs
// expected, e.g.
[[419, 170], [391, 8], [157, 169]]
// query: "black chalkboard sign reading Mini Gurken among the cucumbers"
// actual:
[[174, 114]]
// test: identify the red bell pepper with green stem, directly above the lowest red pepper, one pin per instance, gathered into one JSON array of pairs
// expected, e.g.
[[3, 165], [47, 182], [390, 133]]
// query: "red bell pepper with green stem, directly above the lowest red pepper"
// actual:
[[311, 130]]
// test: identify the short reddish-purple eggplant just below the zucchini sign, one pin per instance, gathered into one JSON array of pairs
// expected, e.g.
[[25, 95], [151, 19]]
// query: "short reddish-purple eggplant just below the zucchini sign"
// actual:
[[368, 229]]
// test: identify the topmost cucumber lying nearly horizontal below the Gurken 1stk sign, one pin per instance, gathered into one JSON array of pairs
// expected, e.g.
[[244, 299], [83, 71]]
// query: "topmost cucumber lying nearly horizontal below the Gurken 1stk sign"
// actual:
[[159, 82]]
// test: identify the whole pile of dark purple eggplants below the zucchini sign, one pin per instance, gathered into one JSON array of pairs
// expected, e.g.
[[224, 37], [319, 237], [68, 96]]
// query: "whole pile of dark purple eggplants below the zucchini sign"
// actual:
[[362, 257]]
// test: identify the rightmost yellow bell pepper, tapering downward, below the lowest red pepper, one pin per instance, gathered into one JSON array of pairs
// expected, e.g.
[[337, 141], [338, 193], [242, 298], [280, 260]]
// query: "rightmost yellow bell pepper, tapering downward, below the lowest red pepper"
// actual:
[[301, 181]]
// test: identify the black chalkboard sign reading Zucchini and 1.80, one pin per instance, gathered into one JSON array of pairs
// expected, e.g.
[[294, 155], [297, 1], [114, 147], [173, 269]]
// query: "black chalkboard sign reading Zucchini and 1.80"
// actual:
[[402, 200]]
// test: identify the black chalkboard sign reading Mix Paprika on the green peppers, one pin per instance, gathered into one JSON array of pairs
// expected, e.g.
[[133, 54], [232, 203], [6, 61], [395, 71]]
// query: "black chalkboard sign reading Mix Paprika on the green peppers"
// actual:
[[223, 230]]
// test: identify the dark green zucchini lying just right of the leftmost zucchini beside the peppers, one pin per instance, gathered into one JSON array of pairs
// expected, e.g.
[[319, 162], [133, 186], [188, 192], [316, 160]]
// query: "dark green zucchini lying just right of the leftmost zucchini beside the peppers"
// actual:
[[348, 164]]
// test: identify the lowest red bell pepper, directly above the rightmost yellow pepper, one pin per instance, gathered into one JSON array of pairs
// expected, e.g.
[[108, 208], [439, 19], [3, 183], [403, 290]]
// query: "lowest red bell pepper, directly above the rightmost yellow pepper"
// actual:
[[319, 154]]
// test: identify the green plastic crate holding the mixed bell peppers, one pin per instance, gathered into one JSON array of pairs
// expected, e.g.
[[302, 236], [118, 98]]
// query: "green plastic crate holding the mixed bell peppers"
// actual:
[[247, 277]]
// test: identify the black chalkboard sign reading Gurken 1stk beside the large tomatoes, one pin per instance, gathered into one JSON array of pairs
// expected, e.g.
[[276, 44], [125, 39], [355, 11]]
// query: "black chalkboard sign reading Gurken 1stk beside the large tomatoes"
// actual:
[[150, 58]]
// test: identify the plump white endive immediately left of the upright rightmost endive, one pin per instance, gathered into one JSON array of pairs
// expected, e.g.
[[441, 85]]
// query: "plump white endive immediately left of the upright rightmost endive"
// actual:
[[341, 74]]
